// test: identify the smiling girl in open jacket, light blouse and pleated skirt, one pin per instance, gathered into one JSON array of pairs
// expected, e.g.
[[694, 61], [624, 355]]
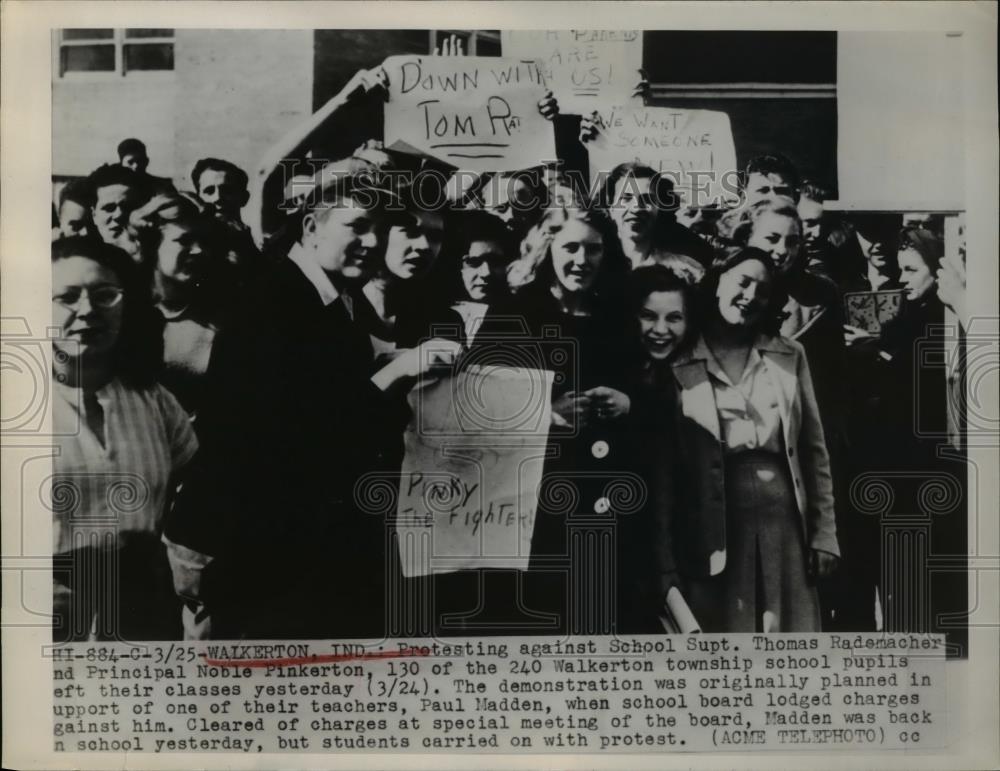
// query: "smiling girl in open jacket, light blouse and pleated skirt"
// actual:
[[750, 429]]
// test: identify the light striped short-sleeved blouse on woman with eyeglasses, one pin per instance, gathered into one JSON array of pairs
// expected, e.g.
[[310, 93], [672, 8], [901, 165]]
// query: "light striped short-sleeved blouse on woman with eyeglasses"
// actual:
[[103, 491]]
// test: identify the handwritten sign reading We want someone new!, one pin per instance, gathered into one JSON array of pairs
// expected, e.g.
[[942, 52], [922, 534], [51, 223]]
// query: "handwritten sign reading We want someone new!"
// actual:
[[693, 147]]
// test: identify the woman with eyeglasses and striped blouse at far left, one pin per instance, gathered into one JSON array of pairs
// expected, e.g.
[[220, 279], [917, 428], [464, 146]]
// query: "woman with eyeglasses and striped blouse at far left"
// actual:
[[122, 440]]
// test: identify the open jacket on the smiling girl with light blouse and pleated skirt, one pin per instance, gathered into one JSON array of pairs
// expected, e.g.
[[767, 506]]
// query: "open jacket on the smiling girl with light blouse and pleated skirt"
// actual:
[[700, 513]]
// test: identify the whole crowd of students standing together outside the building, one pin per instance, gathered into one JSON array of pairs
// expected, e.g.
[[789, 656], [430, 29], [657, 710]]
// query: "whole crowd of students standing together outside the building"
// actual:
[[222, 401]]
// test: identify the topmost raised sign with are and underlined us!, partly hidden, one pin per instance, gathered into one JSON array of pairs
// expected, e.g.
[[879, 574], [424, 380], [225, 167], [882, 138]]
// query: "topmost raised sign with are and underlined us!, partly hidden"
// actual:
[[584, 68]]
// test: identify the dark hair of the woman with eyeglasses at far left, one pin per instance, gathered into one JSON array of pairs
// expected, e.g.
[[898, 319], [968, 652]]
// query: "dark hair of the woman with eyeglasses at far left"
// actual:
[[138, 352]]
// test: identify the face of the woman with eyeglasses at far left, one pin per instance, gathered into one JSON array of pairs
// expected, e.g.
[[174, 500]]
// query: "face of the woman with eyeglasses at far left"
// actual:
[[87, 305]]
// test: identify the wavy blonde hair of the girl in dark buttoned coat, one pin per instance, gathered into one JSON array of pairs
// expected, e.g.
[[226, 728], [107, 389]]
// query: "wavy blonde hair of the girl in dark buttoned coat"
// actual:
[[535, 263]]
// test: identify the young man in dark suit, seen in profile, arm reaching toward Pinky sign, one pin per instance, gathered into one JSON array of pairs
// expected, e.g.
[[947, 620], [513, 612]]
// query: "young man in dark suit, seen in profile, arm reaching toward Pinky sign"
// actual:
[[266, 539]]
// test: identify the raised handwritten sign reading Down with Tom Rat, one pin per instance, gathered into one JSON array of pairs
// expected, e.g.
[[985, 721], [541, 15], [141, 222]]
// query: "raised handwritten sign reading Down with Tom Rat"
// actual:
[[477, 112]]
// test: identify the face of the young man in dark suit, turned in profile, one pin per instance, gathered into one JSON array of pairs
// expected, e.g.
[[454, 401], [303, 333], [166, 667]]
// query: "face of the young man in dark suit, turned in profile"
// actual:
[[343, 240]]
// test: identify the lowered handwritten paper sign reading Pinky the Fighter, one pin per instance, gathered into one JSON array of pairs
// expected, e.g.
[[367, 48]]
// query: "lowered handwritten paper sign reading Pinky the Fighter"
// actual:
[[469, 486]]
